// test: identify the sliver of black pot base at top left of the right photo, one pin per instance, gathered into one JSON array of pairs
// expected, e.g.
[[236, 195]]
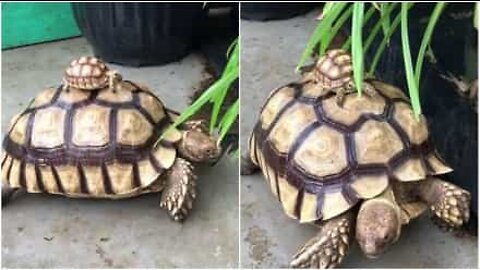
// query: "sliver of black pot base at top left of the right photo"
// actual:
[[274, 11]]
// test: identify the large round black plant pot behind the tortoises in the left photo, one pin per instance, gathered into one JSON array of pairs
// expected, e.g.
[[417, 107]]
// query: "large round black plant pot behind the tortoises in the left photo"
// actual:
[[139, 33]]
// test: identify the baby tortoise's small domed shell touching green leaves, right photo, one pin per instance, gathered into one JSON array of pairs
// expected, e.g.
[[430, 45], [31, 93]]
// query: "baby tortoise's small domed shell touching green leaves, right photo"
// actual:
[[334, 69]]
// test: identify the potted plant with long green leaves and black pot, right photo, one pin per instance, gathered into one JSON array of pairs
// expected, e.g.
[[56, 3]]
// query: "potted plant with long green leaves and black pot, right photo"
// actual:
[[429, 50]]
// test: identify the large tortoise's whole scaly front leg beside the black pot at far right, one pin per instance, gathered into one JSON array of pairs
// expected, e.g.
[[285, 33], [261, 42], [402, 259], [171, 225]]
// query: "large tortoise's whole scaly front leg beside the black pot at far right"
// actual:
[[448, 202]]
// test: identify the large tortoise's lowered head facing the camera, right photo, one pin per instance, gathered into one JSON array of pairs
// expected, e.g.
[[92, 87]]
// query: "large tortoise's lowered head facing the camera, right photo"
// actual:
[[378, 227]]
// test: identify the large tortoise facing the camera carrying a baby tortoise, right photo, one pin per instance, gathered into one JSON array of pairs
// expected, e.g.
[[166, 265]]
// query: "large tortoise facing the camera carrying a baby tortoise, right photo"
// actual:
[[356, 166]]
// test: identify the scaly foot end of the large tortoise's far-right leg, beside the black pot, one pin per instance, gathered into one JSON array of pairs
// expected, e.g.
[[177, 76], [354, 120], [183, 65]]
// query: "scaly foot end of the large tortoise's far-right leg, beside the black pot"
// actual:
[[452, 207]]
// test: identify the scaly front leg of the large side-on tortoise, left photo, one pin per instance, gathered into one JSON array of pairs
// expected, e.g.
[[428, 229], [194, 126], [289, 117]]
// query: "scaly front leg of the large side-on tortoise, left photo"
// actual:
[[179, 193]]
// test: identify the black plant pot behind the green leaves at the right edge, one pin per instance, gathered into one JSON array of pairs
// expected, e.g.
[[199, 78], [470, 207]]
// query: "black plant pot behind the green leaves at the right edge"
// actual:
[[452, 119]]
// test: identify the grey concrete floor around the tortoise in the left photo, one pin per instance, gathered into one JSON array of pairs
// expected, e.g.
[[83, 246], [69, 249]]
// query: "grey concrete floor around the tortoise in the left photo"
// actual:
[[42, 231]]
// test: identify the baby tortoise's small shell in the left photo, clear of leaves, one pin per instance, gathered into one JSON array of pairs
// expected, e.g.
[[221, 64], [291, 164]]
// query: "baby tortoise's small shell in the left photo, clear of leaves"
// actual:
[[86, 73]]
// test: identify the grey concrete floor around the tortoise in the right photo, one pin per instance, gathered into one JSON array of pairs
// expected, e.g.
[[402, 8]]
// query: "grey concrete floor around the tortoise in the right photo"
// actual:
[[270, 51]]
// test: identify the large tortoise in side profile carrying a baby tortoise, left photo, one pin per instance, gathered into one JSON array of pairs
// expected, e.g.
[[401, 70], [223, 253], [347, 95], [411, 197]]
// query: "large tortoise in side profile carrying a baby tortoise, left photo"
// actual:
[[96, 137]]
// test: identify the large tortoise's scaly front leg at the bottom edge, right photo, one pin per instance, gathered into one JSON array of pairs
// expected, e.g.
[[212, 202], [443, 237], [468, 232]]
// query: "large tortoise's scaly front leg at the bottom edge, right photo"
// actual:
[[329, 246]]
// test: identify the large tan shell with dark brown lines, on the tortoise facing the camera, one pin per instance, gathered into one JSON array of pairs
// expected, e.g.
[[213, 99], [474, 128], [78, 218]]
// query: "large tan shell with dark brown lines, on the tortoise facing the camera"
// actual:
[[320, 159]]
